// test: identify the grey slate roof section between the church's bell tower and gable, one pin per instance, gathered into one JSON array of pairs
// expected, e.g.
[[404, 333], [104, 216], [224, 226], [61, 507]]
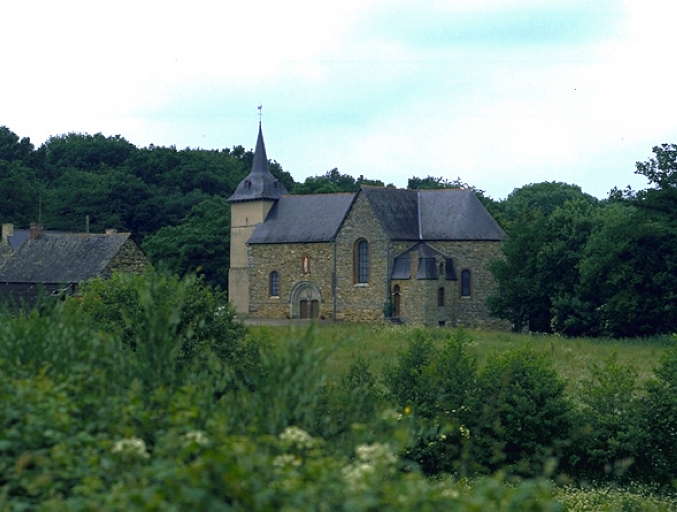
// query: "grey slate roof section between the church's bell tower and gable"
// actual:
[[311, 218]]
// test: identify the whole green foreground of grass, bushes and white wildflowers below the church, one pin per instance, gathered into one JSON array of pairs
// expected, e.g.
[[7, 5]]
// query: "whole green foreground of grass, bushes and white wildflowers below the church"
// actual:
[[147, 394]]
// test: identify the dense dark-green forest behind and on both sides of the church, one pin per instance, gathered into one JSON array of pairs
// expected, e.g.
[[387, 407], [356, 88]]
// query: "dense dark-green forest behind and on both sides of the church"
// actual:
[[574, 265]]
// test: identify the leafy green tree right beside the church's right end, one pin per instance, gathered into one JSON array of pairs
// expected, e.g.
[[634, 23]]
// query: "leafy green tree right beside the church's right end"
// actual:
[[548, 227]]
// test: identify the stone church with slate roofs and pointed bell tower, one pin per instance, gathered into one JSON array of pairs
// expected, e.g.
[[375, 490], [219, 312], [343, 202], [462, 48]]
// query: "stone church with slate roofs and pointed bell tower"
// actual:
[[379, 254]]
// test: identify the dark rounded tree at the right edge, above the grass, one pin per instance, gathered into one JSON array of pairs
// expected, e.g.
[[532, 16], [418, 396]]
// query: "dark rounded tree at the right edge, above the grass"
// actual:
[[628, 274]]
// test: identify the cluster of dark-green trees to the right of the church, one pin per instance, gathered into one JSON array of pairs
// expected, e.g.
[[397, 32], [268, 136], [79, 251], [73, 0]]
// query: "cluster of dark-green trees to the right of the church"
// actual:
[[578, 266]]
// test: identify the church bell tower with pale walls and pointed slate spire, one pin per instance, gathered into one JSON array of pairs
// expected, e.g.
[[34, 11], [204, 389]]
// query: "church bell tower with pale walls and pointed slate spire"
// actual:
[[249, 206]]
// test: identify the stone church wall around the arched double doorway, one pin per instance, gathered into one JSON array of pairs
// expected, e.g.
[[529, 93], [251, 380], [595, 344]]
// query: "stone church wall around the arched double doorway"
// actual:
[[286, 259]]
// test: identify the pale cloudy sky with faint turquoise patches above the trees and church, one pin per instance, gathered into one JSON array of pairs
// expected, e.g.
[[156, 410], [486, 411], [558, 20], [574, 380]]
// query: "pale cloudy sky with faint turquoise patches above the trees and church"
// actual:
[[498, 93]]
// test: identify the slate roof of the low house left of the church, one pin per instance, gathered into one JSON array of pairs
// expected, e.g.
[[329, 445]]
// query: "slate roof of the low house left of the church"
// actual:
[[61, 258]]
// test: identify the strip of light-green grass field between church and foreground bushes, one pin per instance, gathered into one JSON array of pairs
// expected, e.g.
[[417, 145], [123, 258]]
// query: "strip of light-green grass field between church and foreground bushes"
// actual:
[[379, 345]]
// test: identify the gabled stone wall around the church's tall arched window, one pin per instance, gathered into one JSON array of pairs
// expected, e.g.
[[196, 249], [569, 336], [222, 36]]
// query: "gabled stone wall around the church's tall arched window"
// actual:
[[362, 302]]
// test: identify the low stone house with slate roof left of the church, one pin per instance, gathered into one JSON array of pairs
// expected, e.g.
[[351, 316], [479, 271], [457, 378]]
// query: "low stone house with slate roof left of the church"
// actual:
[[36, 261]]
